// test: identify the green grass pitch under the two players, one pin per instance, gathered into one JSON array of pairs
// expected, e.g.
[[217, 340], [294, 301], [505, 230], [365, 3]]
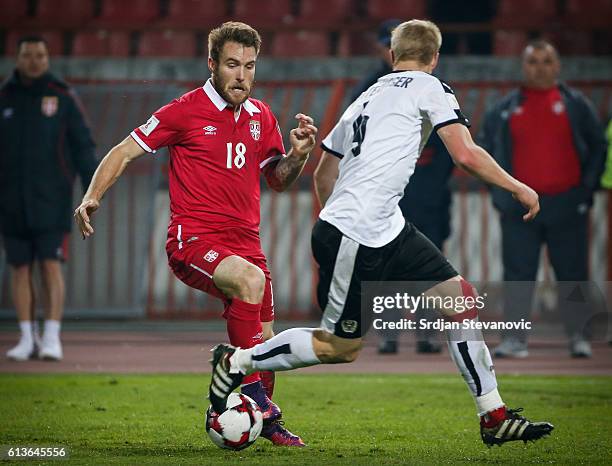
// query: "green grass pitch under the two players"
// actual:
[[345, 419]]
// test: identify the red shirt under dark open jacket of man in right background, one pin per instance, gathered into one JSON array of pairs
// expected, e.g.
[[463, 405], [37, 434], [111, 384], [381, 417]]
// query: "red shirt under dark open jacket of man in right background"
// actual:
[[543, 152]]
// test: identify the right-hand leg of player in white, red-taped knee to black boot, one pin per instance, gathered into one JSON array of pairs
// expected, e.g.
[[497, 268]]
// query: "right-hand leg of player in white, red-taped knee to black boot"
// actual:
[[471, 355]]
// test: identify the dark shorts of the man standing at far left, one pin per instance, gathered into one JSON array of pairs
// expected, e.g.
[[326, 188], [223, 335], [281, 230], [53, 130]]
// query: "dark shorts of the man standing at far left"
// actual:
[[29, 247]]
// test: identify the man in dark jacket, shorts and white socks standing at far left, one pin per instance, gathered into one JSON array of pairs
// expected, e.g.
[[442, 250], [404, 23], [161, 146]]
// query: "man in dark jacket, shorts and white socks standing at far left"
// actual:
[[44, 143]]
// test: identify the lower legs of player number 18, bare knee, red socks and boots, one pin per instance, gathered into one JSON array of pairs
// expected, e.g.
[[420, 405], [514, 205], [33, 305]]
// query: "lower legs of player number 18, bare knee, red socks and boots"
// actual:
[[243, 283]]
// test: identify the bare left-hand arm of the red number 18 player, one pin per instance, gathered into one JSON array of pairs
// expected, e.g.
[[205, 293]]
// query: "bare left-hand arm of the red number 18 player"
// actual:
[[110, 169]]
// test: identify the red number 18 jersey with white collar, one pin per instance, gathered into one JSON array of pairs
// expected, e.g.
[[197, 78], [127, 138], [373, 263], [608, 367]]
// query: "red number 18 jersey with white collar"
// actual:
[[216, 156]]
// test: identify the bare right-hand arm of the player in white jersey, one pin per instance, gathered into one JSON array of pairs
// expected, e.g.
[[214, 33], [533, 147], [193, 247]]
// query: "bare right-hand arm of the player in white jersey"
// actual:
[[475, 160]]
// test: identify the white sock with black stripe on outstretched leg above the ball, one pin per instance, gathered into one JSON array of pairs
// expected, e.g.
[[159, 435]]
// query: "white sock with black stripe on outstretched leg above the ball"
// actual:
[[288, 350]]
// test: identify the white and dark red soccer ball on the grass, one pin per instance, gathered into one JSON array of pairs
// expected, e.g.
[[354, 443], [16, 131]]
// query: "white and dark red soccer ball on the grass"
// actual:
[[238, 427]]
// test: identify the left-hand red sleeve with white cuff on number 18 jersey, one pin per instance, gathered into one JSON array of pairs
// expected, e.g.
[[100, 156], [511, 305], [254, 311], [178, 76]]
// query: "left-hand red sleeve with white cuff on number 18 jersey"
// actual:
[[163, 128]]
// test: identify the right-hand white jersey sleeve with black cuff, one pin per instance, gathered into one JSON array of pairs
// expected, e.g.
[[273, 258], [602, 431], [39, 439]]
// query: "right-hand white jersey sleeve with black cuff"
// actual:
[[441, 107]]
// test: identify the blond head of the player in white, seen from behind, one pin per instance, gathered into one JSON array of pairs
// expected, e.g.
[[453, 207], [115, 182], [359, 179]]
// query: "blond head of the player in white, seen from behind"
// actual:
[[416, 39]]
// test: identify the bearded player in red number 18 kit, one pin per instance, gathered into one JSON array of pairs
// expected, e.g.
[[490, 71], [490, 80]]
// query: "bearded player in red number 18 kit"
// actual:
[[219, 141]]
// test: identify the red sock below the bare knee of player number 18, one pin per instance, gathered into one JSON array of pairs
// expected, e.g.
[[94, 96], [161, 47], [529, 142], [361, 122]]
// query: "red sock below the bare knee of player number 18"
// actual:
[[244, 328]]
